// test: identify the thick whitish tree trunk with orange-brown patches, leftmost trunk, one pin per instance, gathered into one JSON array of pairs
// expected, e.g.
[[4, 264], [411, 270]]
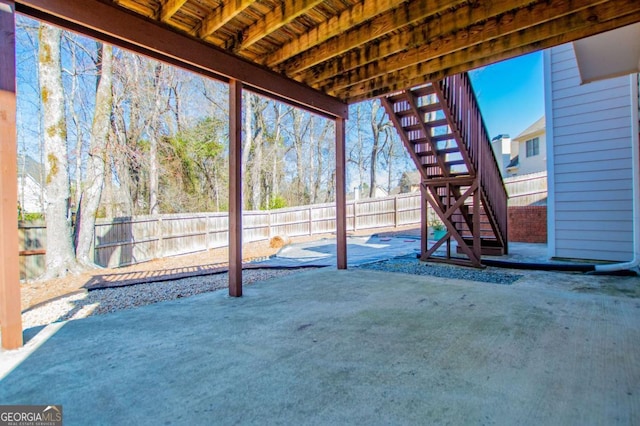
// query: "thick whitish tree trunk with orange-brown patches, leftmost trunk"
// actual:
[[60, 257]]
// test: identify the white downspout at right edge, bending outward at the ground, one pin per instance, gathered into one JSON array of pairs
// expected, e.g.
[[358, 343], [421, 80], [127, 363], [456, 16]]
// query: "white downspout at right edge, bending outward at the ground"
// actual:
[[635, 170]]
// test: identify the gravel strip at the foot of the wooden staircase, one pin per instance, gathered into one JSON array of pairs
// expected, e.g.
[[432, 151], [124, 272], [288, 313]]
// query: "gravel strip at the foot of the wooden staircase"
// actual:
[[411, 265]]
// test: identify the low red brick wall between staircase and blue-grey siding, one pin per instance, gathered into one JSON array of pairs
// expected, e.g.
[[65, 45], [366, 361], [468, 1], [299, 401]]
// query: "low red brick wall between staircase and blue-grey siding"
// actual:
[[528, 224]]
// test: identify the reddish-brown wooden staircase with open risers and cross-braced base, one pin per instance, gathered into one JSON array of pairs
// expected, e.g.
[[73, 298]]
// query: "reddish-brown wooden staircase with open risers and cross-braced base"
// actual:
[[441, 126]]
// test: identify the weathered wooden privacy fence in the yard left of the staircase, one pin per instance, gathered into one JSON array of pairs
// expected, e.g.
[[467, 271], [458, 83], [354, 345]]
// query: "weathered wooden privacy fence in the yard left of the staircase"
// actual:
[[126, 241]]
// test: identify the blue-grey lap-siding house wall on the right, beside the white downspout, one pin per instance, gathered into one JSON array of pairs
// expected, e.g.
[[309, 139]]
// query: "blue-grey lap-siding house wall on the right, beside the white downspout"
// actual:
[[589, 139]]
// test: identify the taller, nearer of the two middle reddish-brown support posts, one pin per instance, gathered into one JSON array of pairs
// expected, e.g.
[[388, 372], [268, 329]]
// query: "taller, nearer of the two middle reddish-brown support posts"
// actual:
[[235, 188]]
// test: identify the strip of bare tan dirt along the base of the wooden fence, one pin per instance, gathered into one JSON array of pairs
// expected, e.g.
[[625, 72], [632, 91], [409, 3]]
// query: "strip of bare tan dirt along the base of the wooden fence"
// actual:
[[36, 292]]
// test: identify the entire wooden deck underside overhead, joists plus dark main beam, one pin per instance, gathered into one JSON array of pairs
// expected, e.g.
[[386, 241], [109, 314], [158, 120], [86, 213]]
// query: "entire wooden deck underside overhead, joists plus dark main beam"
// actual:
[[348, 49]]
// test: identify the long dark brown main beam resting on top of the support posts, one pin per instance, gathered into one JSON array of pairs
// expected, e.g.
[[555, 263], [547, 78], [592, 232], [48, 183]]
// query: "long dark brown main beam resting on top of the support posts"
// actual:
[[118, 27]]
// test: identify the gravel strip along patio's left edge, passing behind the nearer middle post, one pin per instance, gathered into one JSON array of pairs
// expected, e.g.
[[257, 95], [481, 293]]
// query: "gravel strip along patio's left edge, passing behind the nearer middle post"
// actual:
[[97, 302]]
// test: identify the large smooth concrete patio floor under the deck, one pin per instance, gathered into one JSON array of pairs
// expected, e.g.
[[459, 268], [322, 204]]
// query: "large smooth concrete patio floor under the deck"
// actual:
[[351, 347]]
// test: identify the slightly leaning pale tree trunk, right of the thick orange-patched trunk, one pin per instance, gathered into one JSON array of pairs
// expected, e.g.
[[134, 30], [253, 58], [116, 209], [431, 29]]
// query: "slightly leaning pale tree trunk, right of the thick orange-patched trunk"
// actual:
[[92, 191]]
